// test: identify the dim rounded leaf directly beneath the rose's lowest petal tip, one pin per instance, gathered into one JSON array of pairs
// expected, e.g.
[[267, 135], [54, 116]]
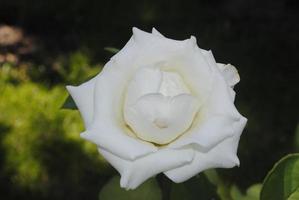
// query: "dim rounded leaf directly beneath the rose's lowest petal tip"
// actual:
[[147, 191]]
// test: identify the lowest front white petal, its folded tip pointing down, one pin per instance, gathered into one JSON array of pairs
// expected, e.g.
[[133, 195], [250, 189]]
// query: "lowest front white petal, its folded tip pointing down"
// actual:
[[134, 173]]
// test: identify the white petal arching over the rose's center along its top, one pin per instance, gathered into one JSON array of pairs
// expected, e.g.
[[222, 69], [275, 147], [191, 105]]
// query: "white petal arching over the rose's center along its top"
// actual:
[[172, 55]]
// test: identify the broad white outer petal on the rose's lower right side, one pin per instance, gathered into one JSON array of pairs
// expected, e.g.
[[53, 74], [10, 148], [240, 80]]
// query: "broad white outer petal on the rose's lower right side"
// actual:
[[215, 121]]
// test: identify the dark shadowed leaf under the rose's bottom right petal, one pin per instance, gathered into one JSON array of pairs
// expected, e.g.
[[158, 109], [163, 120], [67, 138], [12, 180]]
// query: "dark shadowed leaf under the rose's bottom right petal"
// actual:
[[196, 188]]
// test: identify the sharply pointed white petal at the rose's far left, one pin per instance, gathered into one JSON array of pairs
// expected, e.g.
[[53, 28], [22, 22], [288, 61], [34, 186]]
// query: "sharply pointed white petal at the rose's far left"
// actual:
[[83, 97]]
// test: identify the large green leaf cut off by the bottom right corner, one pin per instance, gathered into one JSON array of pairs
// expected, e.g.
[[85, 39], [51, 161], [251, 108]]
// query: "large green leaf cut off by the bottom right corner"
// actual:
[[282, 182]]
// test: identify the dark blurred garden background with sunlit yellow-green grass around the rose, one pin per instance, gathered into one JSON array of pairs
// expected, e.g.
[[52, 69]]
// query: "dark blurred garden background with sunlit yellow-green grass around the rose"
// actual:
[[45, 45]]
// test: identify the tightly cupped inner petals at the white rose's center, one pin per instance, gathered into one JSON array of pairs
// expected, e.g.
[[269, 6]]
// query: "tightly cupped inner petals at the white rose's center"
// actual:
[[159, 107]]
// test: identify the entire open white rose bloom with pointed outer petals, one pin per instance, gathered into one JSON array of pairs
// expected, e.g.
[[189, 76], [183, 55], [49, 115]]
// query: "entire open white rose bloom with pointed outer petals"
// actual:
[[162, 105]]
